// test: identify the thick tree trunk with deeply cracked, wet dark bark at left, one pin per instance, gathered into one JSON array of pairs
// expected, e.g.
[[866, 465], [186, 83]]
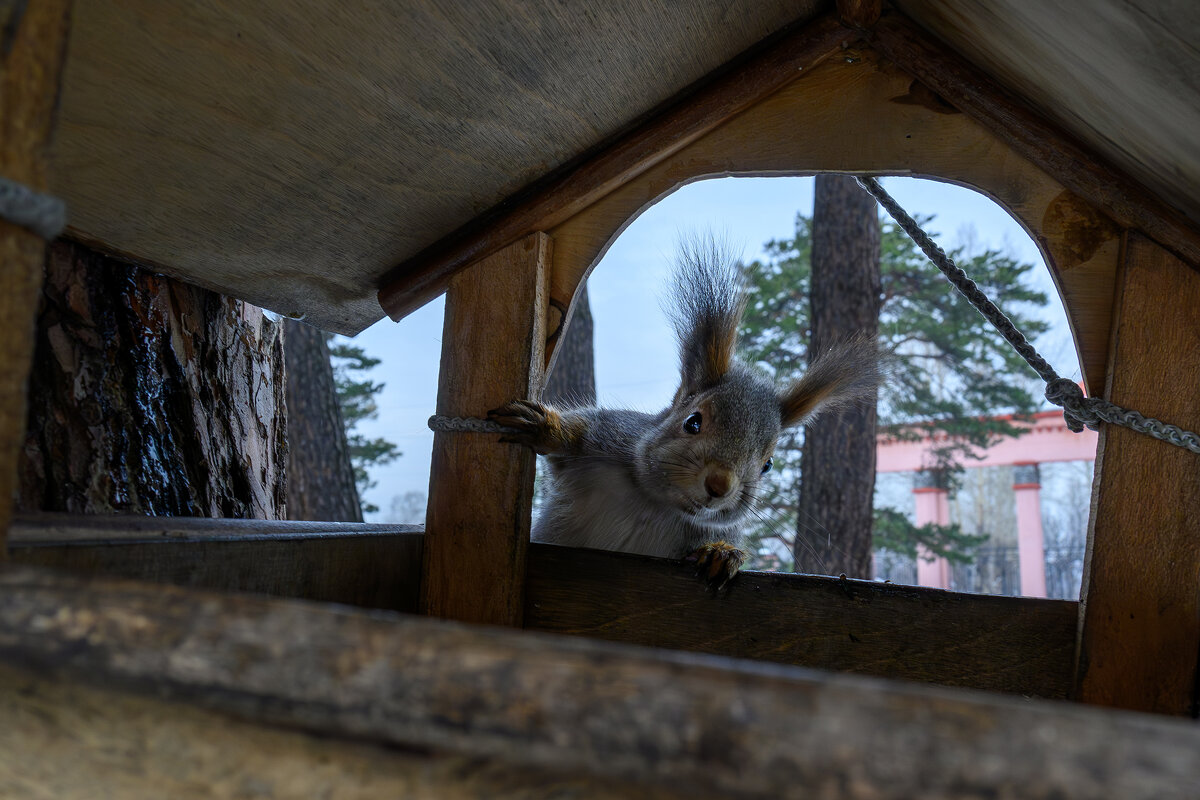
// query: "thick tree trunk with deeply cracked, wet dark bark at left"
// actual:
[[152, 396]]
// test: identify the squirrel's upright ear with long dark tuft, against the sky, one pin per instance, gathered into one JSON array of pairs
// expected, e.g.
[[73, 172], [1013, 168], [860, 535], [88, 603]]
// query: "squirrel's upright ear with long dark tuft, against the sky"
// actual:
[[706, 308]]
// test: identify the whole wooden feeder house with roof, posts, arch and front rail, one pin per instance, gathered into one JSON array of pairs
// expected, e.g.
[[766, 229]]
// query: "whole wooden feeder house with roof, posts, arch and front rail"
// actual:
[[346, 163]]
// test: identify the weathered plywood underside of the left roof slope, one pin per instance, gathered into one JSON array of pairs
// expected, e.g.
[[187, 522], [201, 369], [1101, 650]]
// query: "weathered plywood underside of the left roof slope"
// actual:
[[290, 154]]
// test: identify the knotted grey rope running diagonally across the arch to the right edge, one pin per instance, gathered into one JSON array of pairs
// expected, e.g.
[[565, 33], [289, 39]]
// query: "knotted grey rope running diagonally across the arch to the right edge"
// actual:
[[1077, 410]]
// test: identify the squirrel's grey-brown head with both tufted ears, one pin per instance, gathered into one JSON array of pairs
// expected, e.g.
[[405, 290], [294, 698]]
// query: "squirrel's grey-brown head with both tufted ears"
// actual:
[[710, 450]]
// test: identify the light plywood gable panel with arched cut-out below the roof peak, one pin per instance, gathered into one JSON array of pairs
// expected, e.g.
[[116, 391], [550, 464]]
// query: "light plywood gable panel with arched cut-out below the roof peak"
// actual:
[[820, 124]]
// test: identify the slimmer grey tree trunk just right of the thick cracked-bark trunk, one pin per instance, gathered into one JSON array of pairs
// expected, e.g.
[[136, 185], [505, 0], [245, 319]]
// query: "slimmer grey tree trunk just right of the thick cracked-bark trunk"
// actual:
[[321, 478]]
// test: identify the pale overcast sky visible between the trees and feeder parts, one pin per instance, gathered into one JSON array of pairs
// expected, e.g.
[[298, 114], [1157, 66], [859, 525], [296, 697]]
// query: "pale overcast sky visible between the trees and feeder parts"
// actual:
[[635, 353]]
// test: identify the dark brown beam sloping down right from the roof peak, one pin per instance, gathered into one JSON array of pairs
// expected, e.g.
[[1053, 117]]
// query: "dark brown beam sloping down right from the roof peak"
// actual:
[[968, 89]]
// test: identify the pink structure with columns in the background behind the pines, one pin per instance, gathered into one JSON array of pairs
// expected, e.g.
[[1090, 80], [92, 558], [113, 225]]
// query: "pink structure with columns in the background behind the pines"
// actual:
[[1048, 440]]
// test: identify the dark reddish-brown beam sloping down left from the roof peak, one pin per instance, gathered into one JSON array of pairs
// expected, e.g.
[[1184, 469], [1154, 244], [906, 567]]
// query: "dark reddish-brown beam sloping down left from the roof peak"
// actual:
[[423, 278]]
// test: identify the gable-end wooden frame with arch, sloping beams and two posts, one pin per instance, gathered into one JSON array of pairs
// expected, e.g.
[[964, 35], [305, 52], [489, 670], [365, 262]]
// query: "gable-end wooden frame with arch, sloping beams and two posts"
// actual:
[[835, 99]]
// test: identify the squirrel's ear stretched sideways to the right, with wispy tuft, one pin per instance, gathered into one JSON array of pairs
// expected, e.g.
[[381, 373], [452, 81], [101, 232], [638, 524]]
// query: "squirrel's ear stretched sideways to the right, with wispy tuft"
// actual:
[[842, 376]]
